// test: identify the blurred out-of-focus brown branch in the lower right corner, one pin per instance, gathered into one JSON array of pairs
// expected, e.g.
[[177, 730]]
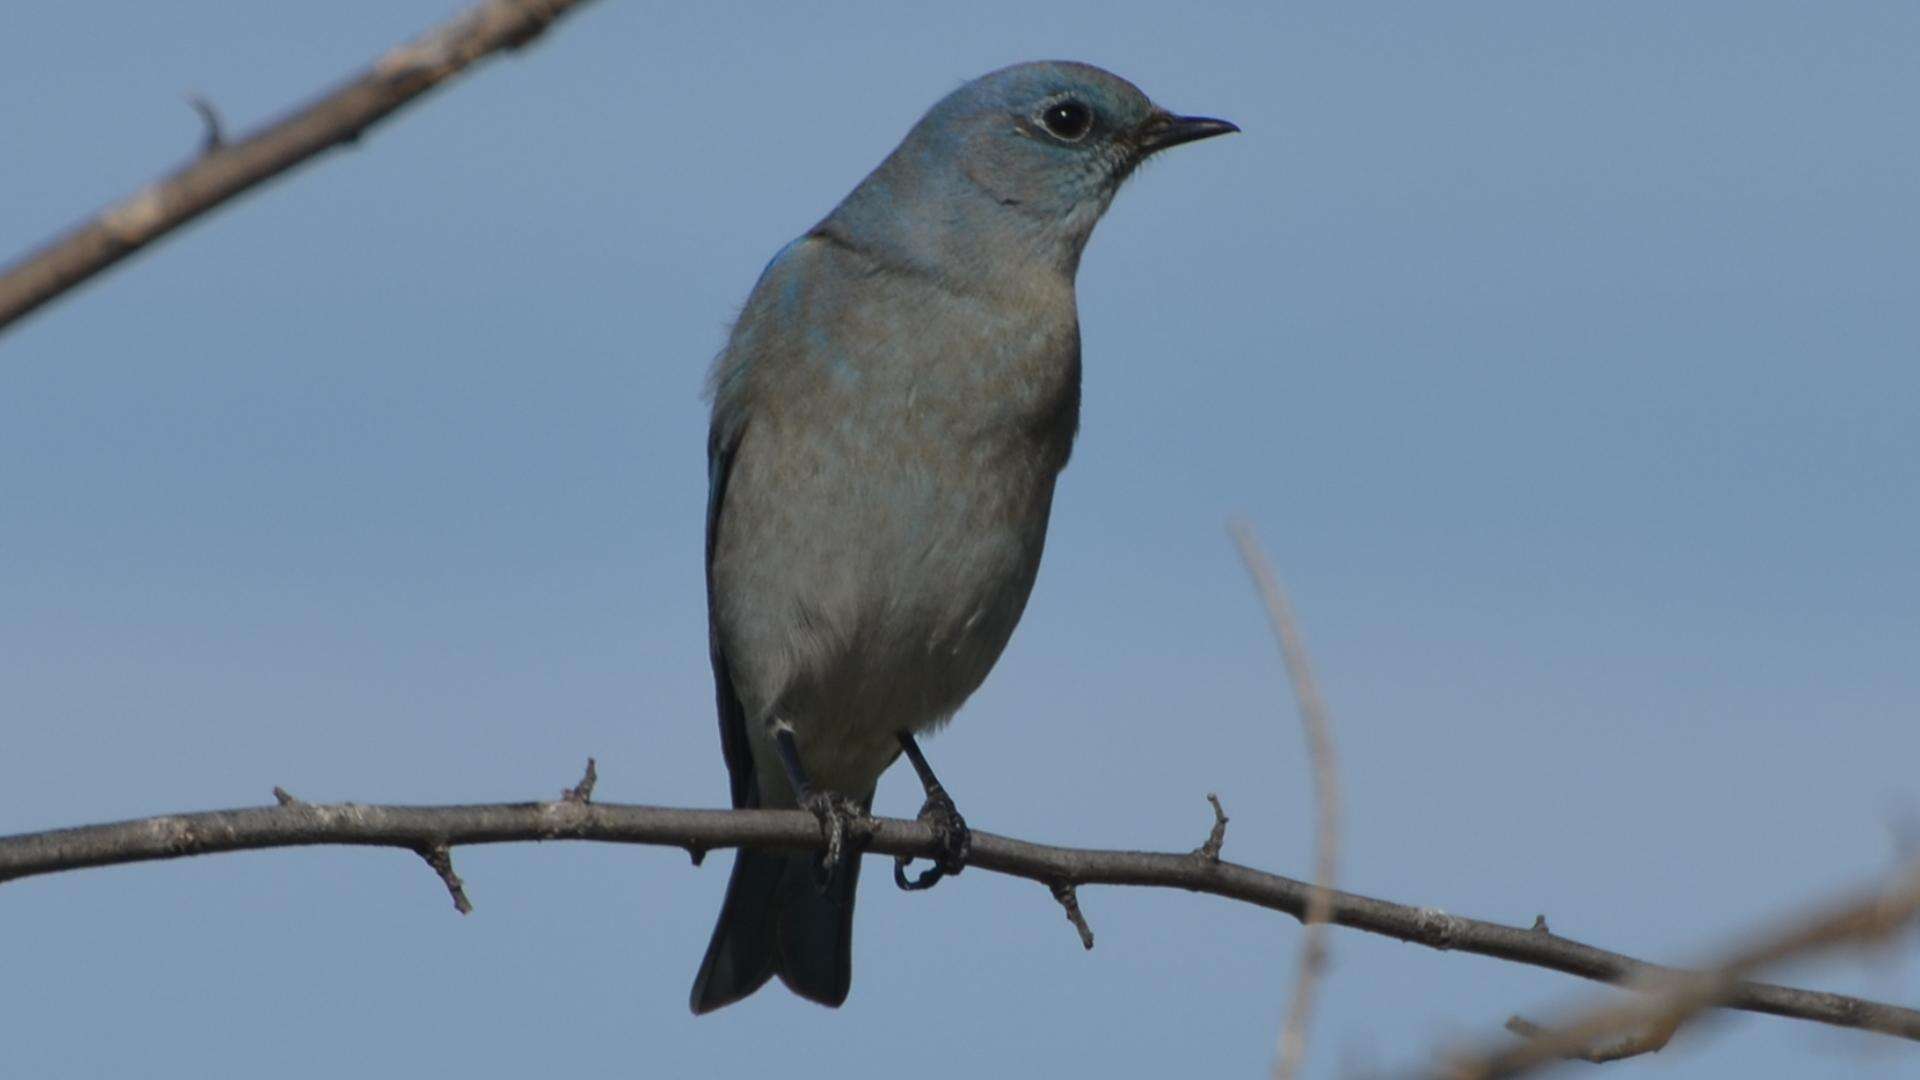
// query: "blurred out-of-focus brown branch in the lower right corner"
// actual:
[[1646, 1023]]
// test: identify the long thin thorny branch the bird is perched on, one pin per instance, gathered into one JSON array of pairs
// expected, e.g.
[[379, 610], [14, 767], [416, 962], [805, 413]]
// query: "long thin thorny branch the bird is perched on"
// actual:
[[297, 823]]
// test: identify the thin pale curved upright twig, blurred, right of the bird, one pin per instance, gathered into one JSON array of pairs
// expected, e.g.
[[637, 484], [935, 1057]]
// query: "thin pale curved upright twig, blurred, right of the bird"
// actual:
[[1328, 800]]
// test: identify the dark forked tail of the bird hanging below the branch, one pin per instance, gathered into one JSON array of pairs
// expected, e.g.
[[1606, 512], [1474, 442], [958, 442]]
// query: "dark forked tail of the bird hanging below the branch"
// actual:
[[779, 921]]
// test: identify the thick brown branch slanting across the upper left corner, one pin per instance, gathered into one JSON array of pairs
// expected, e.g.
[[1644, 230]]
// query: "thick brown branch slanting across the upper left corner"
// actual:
[[226, 170]]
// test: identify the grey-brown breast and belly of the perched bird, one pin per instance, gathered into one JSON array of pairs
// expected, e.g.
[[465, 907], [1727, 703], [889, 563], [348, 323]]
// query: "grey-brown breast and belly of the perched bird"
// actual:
[[888, 506]]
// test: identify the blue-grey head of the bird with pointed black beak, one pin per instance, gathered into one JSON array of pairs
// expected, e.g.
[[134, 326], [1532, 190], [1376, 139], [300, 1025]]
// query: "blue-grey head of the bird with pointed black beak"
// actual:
[[1032, 153]]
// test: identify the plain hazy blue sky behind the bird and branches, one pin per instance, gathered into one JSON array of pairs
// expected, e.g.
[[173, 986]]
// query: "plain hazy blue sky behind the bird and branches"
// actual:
[[1562, 355]]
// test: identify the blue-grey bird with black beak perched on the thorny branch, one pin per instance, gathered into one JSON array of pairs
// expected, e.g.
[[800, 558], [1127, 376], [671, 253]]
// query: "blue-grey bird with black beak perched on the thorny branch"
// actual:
[[890, 414]]
